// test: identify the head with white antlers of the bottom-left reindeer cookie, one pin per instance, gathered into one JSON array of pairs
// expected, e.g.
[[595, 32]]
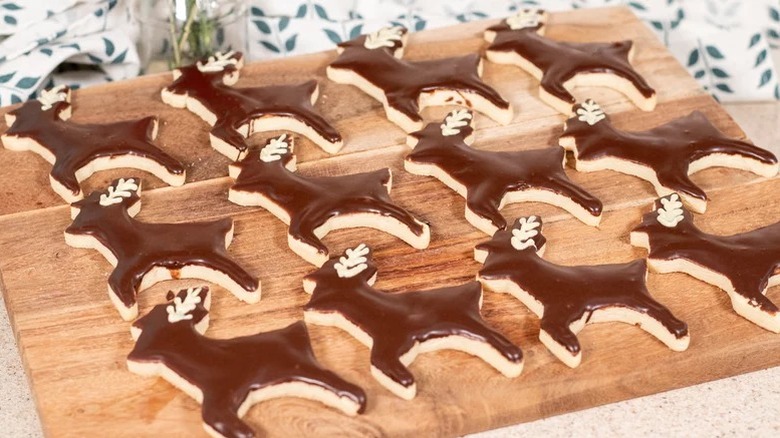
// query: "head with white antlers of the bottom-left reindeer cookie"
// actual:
[[187, 307]]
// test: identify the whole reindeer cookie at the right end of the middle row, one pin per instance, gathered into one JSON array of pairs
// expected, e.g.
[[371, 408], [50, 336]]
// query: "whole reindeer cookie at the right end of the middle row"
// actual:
[[664, 155]]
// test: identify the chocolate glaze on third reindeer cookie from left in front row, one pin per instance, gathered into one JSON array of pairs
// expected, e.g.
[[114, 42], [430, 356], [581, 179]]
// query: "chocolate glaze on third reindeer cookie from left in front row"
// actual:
[[569, 293]]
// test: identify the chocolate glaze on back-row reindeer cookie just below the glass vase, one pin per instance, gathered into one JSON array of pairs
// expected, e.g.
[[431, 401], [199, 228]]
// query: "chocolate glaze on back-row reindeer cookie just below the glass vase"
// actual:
[[234, 107]]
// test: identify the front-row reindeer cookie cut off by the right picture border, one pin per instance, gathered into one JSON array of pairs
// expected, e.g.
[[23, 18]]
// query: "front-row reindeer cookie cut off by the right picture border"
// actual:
[[744, 265]]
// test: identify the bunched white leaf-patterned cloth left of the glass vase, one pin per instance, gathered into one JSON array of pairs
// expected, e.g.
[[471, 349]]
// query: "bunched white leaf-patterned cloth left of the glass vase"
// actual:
[[41, 35]]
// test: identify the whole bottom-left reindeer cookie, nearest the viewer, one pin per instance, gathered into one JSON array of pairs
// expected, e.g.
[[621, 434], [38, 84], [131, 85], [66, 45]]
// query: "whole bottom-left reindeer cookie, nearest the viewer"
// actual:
[[229, 376]]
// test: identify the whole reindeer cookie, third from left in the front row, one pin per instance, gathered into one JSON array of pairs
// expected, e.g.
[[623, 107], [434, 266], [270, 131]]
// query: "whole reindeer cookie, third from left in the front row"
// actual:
[[566, 298]]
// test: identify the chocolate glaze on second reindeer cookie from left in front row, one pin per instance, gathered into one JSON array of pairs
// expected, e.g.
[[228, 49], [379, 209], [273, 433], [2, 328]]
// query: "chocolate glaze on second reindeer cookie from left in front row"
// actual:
[[396, 322]]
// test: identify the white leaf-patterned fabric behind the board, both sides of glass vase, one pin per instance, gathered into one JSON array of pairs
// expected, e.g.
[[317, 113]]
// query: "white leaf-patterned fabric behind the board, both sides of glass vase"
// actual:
[[725, 44]]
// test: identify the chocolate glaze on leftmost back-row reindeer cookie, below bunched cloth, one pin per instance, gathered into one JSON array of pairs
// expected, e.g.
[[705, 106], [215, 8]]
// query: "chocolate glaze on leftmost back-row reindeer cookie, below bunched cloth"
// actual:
[[74, 145]]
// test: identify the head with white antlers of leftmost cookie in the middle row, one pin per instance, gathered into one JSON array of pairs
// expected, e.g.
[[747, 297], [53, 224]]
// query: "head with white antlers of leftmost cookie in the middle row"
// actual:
[[123, 194]]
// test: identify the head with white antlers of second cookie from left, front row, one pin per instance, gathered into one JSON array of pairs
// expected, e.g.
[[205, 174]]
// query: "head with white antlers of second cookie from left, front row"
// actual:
[[355, 266]]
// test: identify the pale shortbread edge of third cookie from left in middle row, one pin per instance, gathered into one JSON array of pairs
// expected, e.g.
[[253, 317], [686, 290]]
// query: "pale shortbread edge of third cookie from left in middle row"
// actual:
[[511, 197]]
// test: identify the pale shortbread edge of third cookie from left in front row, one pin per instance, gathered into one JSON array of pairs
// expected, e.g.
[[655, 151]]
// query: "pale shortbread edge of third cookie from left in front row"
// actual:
[[610, 314]]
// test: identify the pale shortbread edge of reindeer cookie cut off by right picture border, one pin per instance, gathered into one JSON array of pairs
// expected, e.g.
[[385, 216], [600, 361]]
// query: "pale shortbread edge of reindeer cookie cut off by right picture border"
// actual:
[[742, 306]]
